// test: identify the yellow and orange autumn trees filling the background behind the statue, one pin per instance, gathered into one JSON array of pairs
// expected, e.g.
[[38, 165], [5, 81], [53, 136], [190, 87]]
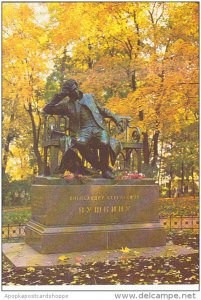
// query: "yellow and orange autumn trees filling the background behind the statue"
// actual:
[[138, 58]]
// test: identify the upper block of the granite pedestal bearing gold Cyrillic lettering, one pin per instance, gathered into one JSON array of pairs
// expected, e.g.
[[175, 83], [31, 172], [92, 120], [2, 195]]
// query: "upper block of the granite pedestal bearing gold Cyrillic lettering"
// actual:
[[87, 205]]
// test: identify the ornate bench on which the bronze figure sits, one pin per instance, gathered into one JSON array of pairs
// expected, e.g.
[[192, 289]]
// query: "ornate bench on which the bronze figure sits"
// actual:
[[57, 136]]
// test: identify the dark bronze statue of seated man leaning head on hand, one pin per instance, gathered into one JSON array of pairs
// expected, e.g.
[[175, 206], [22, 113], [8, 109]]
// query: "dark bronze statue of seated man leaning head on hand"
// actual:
[[88, 132]]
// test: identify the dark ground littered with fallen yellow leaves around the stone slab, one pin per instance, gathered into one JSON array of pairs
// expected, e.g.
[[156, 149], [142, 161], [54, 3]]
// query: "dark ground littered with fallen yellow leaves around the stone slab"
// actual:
[[183, 269]]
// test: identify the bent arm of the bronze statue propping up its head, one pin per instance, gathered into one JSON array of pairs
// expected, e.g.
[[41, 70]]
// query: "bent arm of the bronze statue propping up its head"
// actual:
[[52, 108]]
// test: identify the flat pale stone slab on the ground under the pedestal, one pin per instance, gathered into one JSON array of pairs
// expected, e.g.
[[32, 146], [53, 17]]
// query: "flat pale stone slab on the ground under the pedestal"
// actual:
[[22, 255]]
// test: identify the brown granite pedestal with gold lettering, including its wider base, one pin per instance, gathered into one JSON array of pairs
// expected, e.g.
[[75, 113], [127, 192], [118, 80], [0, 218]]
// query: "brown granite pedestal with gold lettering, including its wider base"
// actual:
[[95, 215]]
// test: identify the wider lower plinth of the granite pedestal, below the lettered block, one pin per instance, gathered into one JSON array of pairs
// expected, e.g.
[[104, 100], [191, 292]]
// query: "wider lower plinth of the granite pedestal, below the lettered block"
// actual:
[[93, 237]]
